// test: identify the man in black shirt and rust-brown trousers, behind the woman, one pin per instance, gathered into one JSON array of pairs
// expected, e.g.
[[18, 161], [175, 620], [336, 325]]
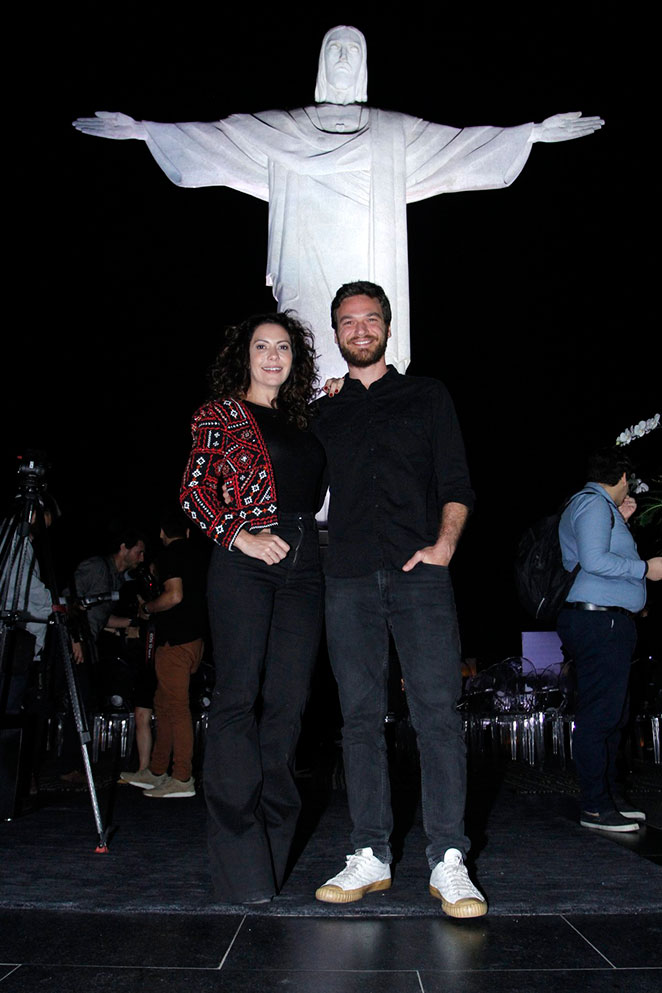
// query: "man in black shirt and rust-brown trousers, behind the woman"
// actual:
[[179, 614]]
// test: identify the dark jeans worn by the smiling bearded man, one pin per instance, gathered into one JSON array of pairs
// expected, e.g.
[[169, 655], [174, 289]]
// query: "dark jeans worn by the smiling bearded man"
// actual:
[[419, 609]]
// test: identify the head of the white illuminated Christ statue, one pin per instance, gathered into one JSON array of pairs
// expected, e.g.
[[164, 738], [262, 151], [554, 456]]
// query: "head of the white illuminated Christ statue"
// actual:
[[342, 76]]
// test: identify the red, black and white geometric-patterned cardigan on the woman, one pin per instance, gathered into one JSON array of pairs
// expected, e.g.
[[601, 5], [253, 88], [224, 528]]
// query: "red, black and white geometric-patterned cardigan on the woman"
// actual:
[[228, 448]]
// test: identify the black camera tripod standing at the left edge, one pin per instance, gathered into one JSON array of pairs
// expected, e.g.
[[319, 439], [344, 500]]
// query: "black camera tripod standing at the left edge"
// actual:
[[19, 574]]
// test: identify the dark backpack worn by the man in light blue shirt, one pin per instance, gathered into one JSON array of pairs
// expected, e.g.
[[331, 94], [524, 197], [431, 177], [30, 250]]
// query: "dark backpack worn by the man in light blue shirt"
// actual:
[[541, 580]]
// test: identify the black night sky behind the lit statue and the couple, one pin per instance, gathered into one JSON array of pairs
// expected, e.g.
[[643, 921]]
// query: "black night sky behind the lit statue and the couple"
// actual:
[[530, 303]]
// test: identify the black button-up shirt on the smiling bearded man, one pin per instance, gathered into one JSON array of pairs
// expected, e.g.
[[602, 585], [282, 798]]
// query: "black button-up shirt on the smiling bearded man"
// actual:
[[395, 456]]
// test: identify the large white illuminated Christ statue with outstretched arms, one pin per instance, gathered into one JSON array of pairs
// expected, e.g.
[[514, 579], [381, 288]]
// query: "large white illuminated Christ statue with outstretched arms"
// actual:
[[338, 176]]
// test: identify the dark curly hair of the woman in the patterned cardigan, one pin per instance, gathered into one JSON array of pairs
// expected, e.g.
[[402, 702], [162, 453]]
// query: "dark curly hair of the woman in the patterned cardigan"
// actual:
[[230, 375]]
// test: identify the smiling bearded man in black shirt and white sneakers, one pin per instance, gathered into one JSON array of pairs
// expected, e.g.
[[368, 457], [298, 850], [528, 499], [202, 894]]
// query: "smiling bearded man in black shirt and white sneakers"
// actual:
[[400, 497]]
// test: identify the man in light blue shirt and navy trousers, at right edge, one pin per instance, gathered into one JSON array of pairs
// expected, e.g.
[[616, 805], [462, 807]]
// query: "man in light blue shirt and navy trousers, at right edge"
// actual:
[[598, 630]]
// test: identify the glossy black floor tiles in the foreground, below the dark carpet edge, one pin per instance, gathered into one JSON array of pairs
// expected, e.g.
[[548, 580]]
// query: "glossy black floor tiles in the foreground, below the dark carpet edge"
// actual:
[[58, 952]]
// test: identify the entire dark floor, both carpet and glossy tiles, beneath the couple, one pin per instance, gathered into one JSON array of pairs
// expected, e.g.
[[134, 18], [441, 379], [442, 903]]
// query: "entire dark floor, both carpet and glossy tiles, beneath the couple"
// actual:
[[567, 907]]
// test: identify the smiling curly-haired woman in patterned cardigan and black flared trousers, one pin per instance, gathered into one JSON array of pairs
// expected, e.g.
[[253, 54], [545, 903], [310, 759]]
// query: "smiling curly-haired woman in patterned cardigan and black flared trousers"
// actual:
[[264, 592]]
